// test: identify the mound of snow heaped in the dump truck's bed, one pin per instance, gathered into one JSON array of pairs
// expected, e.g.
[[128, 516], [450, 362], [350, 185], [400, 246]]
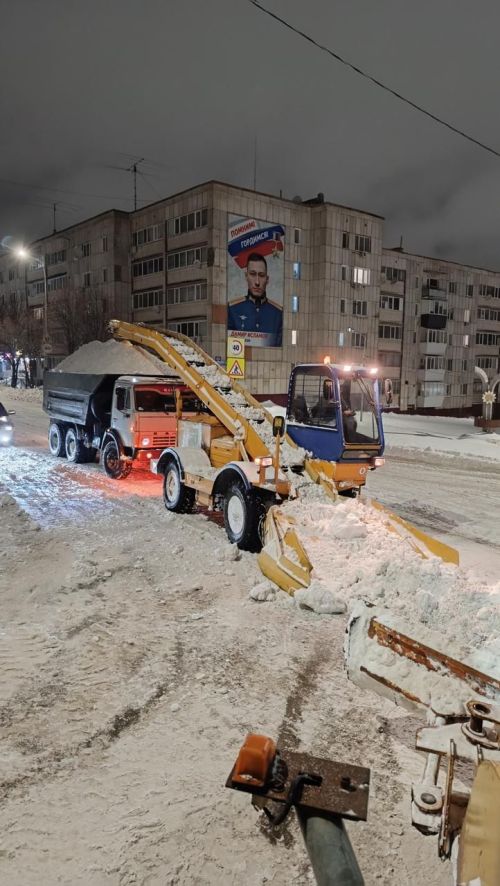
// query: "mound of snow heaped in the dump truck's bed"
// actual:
[[113, 358]]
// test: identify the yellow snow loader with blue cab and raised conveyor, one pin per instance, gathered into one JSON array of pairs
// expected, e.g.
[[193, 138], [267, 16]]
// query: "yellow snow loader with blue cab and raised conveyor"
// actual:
[[233, 457]]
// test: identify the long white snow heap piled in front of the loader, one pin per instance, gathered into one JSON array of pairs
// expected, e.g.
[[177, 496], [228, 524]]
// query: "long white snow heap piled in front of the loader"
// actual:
[[356, 557]]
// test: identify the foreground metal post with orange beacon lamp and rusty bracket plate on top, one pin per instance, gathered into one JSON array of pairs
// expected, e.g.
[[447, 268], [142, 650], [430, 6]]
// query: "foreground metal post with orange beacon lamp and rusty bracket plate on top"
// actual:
[[322, 792]]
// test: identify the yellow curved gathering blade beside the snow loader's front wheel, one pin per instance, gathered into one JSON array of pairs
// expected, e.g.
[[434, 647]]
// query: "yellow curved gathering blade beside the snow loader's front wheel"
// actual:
[[283, 560]]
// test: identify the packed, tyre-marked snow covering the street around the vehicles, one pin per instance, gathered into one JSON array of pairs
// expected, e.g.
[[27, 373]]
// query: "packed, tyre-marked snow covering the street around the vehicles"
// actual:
[[133, 662]]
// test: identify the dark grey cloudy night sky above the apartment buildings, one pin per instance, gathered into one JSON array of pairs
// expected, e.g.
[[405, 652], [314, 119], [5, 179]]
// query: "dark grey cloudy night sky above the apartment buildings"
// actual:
[[190, 84]]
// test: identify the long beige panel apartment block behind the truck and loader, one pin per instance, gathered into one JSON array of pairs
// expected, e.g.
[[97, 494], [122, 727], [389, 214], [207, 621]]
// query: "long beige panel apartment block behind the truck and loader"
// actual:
[[332, 287]]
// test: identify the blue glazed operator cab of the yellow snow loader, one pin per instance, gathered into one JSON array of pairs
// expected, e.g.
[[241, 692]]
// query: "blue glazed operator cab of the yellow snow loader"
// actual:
[[334, 412]]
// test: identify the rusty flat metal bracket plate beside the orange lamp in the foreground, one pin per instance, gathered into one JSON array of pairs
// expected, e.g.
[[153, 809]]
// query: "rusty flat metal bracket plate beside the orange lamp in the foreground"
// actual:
[[341, 788]]
